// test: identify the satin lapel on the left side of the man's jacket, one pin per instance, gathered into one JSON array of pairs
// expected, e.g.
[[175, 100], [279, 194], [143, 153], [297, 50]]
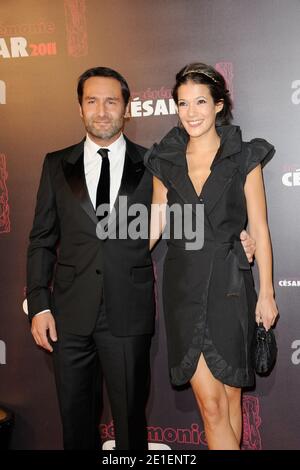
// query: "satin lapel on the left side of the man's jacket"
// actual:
[[73, 168]]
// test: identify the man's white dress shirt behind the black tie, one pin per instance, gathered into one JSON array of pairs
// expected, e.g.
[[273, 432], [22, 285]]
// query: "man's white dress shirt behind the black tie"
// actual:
[[92, 167]]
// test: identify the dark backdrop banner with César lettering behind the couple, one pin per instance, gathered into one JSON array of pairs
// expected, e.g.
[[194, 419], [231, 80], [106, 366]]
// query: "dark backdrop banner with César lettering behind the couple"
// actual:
[[44, 46]]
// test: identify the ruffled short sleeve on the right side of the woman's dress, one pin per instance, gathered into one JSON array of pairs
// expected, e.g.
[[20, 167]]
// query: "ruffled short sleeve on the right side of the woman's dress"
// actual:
[[259, 151]]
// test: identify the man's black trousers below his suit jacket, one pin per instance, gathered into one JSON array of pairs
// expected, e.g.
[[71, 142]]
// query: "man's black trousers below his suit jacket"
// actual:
[[80, 364]]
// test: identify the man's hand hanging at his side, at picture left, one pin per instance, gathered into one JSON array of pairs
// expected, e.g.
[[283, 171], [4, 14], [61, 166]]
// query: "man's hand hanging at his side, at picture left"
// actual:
[[40, 326]]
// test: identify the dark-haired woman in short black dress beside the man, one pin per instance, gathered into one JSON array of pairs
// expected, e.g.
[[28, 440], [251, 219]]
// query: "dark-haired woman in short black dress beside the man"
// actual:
[[210, 303]]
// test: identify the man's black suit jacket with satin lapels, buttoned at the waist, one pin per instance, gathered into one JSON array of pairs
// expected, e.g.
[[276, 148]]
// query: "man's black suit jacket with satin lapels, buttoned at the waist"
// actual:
[[65, 252]]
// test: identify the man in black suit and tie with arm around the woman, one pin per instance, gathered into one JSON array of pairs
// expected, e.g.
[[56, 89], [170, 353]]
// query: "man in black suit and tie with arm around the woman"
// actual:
[[98, 320]]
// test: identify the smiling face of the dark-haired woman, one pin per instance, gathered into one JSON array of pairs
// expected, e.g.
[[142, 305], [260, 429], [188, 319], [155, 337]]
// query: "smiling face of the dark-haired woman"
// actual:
[[196, 109]]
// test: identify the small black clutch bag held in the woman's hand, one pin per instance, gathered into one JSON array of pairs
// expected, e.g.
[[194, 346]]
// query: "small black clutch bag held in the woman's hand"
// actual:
[[265, 349]]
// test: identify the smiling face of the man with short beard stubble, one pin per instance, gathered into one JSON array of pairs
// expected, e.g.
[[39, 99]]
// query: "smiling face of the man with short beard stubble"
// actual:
[[103, 109]]
